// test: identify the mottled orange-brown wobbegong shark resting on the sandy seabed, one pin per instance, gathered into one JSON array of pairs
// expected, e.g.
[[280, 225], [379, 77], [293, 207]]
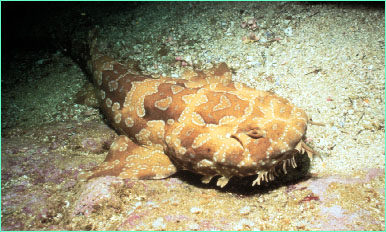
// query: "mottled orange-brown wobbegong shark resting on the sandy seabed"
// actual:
[[203, 123]]
